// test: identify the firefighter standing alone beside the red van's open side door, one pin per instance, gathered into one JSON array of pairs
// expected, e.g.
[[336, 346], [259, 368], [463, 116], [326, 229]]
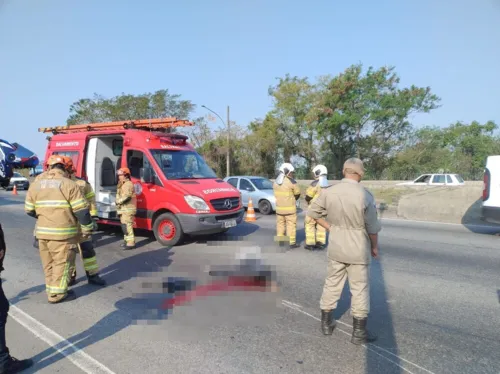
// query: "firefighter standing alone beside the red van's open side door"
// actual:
[[126, 204]]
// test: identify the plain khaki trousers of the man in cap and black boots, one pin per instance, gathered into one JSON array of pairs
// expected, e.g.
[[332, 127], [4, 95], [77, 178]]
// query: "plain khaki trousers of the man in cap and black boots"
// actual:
[[358, 276]]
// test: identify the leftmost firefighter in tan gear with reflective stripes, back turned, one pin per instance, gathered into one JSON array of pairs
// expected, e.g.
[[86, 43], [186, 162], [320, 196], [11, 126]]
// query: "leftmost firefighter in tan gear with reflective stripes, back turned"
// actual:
[[59, 206]]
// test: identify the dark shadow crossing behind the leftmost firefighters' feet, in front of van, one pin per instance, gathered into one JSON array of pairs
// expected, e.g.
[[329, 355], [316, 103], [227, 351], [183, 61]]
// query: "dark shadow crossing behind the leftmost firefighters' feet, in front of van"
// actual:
[[114, 274]]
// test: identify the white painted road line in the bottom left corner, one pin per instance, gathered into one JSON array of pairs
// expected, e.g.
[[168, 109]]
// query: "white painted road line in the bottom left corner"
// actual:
[[77, 356]]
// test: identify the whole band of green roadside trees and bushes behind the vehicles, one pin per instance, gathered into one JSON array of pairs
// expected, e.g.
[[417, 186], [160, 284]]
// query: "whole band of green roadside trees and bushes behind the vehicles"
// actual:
[[358, 112]]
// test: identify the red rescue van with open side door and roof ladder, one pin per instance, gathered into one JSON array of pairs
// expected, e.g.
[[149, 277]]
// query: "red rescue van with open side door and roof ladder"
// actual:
[[177, 192]]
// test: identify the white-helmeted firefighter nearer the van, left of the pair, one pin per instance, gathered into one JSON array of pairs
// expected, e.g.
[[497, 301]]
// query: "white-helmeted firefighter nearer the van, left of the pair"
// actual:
[[286, 192]]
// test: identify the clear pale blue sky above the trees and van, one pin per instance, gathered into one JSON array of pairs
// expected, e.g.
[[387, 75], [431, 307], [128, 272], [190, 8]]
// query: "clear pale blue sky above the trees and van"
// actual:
[[224, 52]]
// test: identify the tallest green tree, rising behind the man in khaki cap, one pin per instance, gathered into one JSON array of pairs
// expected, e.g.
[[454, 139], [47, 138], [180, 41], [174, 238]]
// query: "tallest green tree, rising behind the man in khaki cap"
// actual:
[[367, 115]]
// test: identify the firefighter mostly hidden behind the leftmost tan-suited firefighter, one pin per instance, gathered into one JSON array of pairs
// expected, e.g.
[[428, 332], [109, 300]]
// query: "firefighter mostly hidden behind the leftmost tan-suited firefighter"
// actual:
[[85, 245]]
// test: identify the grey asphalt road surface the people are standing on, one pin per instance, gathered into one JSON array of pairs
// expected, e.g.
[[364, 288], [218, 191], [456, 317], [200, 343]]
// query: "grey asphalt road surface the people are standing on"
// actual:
[[435, 302]]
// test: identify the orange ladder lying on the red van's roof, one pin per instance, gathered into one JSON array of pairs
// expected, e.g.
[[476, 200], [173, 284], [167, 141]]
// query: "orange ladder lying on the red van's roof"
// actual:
[[156, 124]]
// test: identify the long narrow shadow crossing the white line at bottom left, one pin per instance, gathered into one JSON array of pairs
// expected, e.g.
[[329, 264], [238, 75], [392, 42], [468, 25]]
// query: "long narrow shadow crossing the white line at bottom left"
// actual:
[[129, 311]]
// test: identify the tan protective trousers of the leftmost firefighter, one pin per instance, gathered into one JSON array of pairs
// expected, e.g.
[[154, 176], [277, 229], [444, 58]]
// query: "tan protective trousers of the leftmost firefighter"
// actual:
[[58, 256]]
